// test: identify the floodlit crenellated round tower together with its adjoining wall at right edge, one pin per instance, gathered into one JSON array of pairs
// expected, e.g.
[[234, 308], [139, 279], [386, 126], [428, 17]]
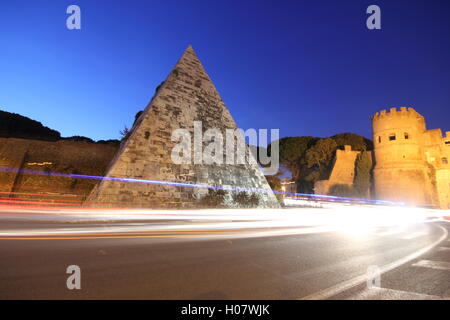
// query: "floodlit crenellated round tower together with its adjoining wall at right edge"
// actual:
[[411, 162]]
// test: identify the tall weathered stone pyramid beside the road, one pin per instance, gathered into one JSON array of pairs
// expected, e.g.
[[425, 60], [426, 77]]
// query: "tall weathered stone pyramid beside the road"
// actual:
[[187, 95]]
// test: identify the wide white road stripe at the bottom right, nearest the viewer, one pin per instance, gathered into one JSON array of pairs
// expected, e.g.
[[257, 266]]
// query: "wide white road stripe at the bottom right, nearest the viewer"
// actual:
[[390, 294]]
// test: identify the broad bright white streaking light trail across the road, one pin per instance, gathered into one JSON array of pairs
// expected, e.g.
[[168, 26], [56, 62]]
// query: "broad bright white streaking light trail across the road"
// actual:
[[351, 221]]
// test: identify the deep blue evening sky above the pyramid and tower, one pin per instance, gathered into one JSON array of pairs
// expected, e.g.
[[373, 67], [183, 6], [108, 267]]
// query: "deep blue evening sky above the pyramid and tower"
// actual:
[[306, 67]]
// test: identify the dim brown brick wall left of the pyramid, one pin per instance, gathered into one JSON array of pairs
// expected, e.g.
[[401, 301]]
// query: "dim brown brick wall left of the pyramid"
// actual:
[[65, 157]]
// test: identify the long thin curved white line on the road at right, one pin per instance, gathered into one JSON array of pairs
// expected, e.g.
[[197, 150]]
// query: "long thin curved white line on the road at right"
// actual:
[[345, 285]]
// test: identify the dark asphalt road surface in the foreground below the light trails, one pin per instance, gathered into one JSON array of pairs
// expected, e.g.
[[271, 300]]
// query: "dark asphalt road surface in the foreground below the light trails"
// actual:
[[221, 264]]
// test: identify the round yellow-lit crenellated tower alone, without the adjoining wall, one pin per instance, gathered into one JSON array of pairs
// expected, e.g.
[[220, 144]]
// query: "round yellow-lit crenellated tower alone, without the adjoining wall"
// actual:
[[401, 172]]
